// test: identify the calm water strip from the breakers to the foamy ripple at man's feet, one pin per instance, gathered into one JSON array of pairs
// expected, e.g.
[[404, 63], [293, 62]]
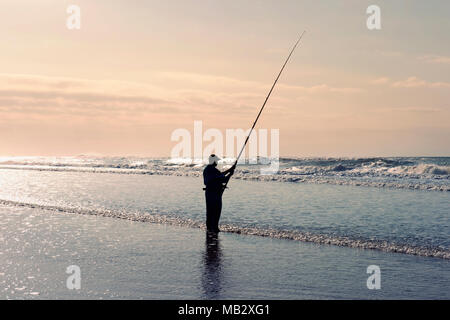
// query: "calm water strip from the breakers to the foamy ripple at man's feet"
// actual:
[[410, 221]]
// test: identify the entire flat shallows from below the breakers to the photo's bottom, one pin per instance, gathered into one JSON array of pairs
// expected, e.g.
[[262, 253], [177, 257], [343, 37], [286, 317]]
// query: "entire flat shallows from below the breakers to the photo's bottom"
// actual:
[[50, 220]]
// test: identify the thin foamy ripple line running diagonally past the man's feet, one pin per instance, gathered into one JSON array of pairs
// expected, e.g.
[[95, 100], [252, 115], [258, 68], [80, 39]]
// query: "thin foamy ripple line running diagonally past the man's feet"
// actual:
[[321, 239]]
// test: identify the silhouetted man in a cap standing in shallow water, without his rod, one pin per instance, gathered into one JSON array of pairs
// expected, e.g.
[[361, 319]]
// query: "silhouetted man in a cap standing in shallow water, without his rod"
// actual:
[[214, 181]]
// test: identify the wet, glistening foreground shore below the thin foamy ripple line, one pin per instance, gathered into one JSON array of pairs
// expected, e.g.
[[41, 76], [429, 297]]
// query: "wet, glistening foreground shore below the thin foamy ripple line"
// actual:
[[122, 259]]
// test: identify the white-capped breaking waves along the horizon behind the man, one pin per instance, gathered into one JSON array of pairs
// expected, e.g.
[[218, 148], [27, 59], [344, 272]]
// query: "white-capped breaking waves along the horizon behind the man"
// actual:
[[418, 173]]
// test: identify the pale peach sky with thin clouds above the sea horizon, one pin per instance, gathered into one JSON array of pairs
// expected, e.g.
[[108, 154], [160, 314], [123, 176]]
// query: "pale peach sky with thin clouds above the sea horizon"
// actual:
[[138, 70]]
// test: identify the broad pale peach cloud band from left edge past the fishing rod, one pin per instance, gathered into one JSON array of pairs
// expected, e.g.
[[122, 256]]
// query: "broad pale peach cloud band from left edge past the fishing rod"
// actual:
[[43, 95]]
